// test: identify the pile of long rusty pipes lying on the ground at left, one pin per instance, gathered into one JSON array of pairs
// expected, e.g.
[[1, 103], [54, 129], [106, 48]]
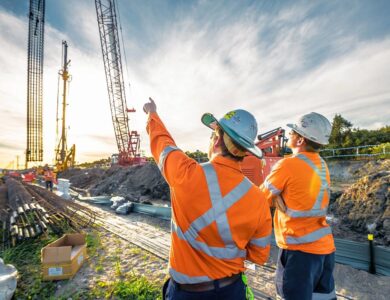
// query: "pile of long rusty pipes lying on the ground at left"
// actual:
[[32, 210]]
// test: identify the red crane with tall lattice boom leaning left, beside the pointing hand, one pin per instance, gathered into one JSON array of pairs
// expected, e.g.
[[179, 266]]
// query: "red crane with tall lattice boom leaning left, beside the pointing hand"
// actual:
[[128, 142]]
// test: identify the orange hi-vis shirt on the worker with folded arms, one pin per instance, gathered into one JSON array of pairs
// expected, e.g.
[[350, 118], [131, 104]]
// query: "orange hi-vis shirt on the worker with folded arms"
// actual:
[[303, 182]]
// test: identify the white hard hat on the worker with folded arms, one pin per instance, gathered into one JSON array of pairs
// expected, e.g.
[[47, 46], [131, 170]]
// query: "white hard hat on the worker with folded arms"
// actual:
[[313, 126]]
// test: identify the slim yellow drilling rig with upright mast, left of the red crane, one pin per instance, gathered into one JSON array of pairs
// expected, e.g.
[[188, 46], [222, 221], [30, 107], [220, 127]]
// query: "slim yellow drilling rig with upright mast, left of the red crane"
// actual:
[[64, 158]]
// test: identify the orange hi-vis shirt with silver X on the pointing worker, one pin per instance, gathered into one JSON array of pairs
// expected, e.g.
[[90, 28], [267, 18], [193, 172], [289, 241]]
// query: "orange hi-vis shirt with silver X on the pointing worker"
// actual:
[[219, 218]]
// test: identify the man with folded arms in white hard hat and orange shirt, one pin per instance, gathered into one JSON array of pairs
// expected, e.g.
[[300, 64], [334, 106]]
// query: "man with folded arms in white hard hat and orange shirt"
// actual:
[[299, 188]]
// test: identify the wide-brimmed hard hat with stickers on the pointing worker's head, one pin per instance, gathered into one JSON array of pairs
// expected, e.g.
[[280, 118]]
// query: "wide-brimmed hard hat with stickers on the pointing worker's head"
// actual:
[[239, 125]]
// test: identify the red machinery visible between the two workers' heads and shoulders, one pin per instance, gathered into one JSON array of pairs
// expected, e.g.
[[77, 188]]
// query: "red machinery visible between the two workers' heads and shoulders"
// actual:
[[273, 146]]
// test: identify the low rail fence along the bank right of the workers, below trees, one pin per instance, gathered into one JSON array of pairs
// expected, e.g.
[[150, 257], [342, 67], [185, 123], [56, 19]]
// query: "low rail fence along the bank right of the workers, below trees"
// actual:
[[359, 151]]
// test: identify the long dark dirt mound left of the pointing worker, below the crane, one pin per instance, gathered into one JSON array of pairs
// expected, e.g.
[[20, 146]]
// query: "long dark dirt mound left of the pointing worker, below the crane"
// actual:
[[141, 183]]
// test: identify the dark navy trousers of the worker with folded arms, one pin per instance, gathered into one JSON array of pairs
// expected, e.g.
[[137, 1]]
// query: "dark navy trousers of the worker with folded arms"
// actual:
[[305, 276]]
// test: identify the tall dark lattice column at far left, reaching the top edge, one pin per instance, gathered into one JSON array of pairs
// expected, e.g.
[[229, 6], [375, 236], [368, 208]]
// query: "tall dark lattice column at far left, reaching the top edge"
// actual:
[[34, 151]]
